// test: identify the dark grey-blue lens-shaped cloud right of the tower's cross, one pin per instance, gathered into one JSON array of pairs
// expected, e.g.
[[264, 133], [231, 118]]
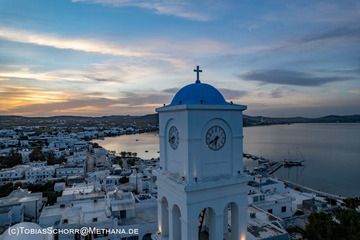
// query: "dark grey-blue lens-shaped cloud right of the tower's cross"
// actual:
[[287, 77]]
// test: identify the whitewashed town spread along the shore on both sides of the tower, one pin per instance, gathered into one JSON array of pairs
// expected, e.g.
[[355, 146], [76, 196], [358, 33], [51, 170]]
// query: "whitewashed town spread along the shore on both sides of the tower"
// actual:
[[57, 177]]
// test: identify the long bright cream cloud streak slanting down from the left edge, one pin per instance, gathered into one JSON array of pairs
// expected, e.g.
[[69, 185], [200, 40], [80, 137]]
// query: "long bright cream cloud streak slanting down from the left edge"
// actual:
[[77, 44]]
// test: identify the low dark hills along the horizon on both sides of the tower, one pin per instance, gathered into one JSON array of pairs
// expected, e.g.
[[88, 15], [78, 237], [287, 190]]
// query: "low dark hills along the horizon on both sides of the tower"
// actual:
[[151, 120]]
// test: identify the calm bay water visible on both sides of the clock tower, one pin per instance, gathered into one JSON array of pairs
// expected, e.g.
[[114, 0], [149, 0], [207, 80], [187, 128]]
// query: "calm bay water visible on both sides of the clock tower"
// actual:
[[331, 152]]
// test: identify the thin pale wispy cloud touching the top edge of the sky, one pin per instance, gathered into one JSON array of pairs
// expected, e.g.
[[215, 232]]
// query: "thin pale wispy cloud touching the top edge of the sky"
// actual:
[[162, 7]]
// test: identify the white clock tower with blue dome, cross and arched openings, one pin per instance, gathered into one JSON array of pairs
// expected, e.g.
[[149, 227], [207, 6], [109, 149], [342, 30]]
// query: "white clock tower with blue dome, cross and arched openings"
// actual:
[[201, 186]]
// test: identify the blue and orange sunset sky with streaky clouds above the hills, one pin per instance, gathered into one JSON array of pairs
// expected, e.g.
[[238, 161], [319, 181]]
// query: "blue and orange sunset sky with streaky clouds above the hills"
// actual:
[[119, 57]]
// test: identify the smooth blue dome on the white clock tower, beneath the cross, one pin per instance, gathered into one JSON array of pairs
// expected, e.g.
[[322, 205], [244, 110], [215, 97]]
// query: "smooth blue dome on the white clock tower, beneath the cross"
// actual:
[[198, 93]]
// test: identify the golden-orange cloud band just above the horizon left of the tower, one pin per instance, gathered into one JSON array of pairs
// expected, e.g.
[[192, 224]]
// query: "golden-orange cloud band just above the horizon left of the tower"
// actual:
[[85, 104]]
